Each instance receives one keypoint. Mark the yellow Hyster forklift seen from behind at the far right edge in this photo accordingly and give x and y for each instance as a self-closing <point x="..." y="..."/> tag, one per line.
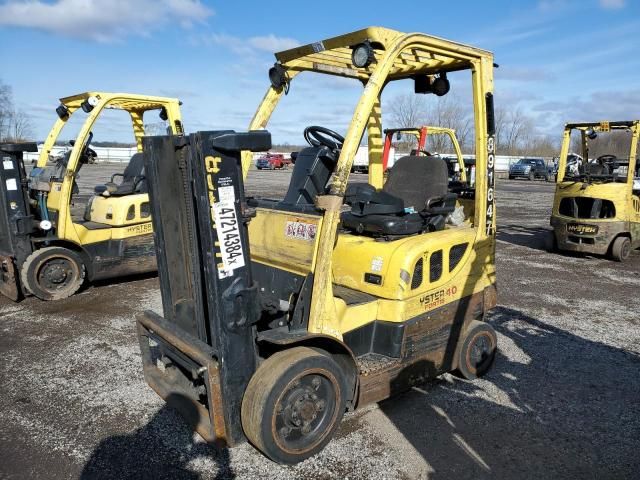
<point x="596" y="208"/>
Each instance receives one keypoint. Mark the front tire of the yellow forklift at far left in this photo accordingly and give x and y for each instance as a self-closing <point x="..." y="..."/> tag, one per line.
<point x="33" y="269"/>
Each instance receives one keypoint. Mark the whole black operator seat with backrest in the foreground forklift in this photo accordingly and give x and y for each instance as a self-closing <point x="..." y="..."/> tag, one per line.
<point x="414" y="199"/>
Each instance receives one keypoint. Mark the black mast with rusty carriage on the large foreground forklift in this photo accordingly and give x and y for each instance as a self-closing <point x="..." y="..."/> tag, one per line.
<point x="209" y="298"/>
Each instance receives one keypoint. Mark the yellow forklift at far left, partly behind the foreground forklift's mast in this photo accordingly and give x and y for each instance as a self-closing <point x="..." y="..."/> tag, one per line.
<point x="47" y="249"/>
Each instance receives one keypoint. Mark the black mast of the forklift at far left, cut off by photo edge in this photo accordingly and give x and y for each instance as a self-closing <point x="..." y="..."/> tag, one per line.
<point x="16" y="221"/>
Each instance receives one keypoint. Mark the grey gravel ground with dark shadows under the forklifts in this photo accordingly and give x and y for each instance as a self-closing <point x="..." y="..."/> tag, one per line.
<point x="561" y="401"/>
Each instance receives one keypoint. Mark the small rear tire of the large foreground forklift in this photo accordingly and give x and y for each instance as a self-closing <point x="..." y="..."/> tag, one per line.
<point x="482" y="335"/>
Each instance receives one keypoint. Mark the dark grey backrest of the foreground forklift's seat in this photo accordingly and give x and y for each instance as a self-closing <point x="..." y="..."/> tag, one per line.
<point x="417" y="180"/>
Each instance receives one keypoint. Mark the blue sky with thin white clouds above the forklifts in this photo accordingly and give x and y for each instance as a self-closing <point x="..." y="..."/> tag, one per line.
<point x="563" y="60"/>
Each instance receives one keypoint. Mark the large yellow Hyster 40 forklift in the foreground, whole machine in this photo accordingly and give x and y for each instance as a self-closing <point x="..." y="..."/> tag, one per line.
<point x="281" y="314"/>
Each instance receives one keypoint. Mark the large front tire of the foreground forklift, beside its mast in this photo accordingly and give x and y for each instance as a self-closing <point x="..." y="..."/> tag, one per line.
<point x="268" y="412"/>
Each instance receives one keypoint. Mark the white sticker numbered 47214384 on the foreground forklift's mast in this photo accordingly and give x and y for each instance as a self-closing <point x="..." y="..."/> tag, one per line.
<point x="228" y="229"/>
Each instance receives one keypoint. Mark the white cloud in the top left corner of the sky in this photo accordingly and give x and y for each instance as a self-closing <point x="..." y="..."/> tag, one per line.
<point x="102" y="21"/>
